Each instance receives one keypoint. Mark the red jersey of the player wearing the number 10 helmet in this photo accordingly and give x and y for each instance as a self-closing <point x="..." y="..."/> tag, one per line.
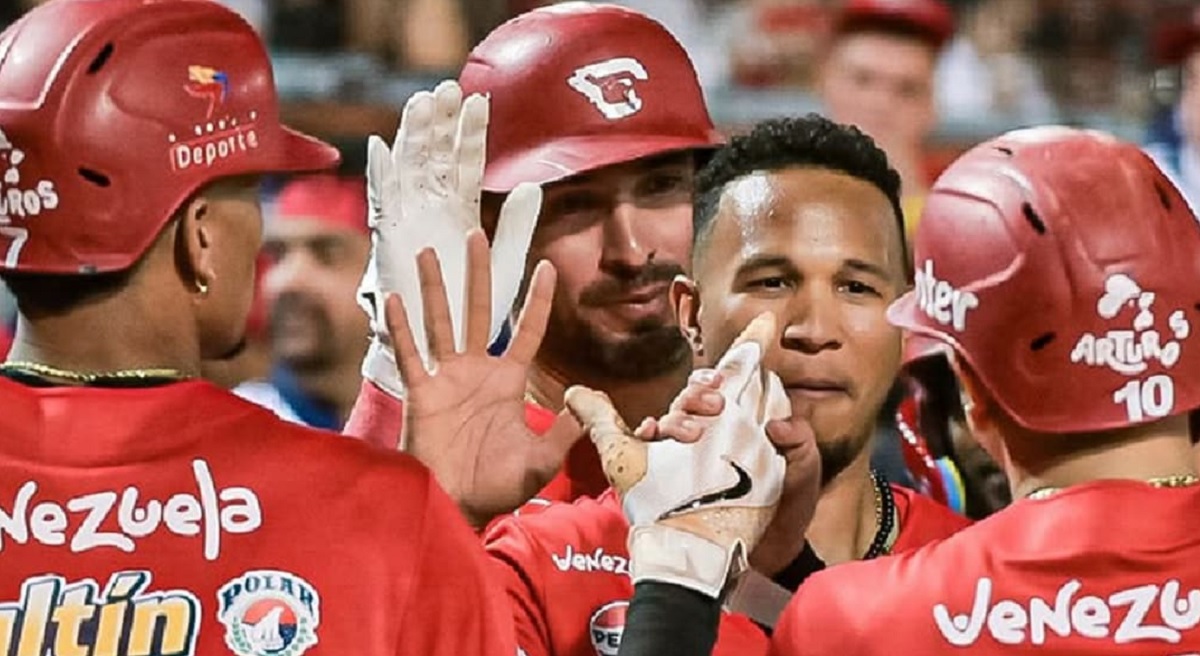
<point x="1111" y="568"/>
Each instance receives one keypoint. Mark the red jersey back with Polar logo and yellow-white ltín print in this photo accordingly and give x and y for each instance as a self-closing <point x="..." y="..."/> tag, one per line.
<point x="182" y="520"/>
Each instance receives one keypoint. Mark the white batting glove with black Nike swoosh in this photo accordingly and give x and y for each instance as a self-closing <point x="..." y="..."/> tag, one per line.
<point x="699" y="509"/>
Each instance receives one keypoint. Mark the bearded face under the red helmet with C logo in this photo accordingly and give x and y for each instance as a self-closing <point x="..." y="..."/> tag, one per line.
<point x="617" y="238"/>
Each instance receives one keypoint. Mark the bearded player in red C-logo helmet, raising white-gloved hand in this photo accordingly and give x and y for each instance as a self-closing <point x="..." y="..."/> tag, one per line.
<point x="601" y="106"/>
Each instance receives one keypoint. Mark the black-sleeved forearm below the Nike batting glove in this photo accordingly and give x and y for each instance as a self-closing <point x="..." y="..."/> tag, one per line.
<point x="670" y="621"/>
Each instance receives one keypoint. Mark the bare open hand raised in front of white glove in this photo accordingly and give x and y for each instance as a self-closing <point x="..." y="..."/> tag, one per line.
<point x="465" y="413"/>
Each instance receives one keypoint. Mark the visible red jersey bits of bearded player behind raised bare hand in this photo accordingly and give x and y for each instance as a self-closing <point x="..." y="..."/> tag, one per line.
<point x="379" y="418"/>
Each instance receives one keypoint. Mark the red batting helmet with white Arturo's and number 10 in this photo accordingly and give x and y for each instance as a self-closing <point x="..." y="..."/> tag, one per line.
<point x="1063" y="266"/>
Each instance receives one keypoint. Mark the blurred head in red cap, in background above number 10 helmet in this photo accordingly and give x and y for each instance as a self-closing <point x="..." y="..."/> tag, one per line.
<point x="879" y="76"/>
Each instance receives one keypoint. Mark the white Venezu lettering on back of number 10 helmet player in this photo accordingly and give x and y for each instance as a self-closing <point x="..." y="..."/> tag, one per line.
<point x="1013" y="623"/>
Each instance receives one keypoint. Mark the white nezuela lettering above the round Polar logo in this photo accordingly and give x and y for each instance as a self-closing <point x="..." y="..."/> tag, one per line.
<point x="209" y="513"/>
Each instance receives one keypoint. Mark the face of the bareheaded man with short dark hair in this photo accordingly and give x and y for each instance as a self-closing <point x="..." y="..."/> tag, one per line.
<point x="823" y="251"/>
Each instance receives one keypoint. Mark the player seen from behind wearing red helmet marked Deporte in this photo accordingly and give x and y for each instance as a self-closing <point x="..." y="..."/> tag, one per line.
<point x="142" y="509"/>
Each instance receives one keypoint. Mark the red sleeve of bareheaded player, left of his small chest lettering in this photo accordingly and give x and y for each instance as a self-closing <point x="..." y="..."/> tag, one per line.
<point x="511" y="549"/>
